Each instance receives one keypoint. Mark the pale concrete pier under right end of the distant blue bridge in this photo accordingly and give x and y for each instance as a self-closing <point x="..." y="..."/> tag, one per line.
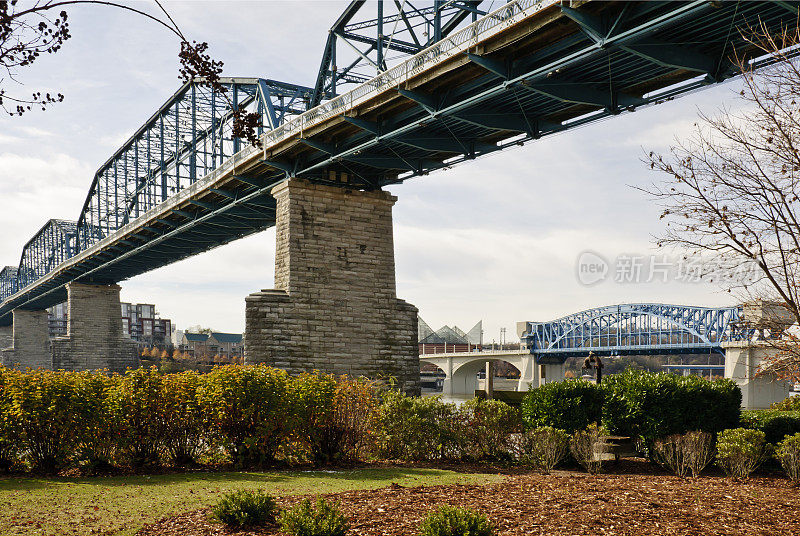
<point x="743" y="362"/>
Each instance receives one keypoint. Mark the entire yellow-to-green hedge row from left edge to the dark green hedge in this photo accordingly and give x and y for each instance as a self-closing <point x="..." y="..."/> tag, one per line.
<point x="246" y="415"/>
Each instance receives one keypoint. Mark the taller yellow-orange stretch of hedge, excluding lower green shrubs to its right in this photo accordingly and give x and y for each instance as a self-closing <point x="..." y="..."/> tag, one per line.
<point x="247" y="415"/>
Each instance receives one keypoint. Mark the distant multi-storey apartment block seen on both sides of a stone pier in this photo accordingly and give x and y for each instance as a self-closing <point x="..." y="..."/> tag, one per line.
<point x="140" y="322"/>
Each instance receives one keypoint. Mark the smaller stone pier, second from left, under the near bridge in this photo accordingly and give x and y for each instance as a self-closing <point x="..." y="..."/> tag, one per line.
<point x="94" y="332"/>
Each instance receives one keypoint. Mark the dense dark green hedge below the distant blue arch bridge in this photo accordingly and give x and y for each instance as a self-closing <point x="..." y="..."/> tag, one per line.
<point x="636" y="404"/>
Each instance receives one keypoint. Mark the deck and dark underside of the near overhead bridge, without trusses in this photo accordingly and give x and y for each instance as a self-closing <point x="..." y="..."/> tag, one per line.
<point x="526" y="70"/>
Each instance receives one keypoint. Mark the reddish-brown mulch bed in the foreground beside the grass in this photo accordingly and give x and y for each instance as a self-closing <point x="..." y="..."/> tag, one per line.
<point x="563" y="503"/>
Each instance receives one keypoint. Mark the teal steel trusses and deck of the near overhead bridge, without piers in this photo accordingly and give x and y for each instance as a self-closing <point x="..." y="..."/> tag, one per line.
<point x="402" y="90"/>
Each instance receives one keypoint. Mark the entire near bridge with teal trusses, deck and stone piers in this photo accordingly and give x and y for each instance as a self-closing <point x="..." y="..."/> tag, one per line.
<point x="401" y="91"/>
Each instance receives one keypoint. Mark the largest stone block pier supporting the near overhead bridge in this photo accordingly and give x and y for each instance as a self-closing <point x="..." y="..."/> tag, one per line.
<point x="335" y="307"/>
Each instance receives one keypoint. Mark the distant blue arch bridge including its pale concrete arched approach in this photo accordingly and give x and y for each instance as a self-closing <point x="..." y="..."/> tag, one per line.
<point x="613" y="330"/>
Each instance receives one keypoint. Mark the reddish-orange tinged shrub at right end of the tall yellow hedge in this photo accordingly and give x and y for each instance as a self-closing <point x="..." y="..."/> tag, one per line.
<point x="334" y="416"/>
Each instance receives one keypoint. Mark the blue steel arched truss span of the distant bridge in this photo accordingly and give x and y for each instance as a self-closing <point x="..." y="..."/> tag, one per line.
<point x="636" y="329"/>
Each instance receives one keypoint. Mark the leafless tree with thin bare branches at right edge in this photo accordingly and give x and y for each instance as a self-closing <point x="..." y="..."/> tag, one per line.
<point x="733" y="188"/>
